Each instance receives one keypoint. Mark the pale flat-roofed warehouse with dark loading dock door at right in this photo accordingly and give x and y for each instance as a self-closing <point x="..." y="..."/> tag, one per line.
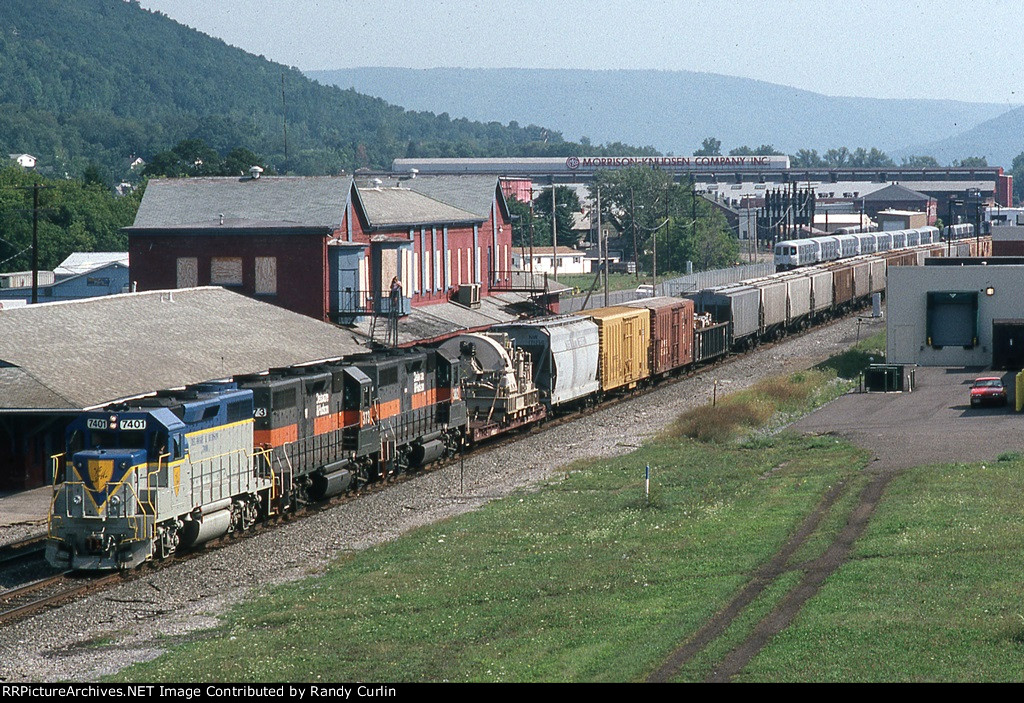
<point x="957" y="313"/>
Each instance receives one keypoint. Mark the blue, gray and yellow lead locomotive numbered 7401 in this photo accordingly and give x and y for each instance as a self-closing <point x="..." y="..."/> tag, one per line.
<point x="143" y="479"/>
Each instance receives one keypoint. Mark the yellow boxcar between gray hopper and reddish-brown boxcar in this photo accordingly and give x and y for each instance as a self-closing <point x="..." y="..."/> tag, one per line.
<point x="625" y="337"/>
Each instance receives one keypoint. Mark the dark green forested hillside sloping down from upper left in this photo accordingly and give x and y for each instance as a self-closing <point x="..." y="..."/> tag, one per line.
<point x="100" y="81"/>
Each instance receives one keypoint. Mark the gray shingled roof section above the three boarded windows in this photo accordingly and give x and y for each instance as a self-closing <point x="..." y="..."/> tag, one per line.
<point x="269" y="201"/>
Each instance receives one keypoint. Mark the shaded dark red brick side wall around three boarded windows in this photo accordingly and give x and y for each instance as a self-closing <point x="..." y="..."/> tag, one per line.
<point x="302" y="263"/>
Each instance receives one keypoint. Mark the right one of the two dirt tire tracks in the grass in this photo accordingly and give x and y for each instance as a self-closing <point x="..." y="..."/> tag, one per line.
<point x="817" y="573"/>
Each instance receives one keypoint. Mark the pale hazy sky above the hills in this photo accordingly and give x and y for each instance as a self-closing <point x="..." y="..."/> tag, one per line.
<point x="895" y="49"/>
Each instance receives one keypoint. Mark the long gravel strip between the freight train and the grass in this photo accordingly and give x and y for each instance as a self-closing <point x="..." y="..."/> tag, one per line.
<point x="134" y="623"/>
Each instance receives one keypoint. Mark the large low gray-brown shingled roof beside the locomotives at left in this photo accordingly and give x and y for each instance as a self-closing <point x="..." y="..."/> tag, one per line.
<point x="90" y="353"/>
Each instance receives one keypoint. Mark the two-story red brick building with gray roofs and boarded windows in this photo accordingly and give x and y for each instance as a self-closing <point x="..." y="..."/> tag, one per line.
<point x="325" y="247"/>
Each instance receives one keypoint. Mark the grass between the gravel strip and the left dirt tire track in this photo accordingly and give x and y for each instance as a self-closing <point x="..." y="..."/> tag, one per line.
<point x="580" y="582"/>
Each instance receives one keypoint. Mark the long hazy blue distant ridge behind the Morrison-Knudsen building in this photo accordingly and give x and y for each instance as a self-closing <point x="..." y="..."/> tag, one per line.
<point x="673" y="111"/>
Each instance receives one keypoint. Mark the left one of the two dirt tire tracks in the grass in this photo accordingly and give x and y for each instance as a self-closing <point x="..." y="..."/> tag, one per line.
<point x="762" y="579"/>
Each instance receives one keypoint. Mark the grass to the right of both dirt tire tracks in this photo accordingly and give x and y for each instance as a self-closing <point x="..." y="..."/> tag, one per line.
<point x="933" y="592"/>
